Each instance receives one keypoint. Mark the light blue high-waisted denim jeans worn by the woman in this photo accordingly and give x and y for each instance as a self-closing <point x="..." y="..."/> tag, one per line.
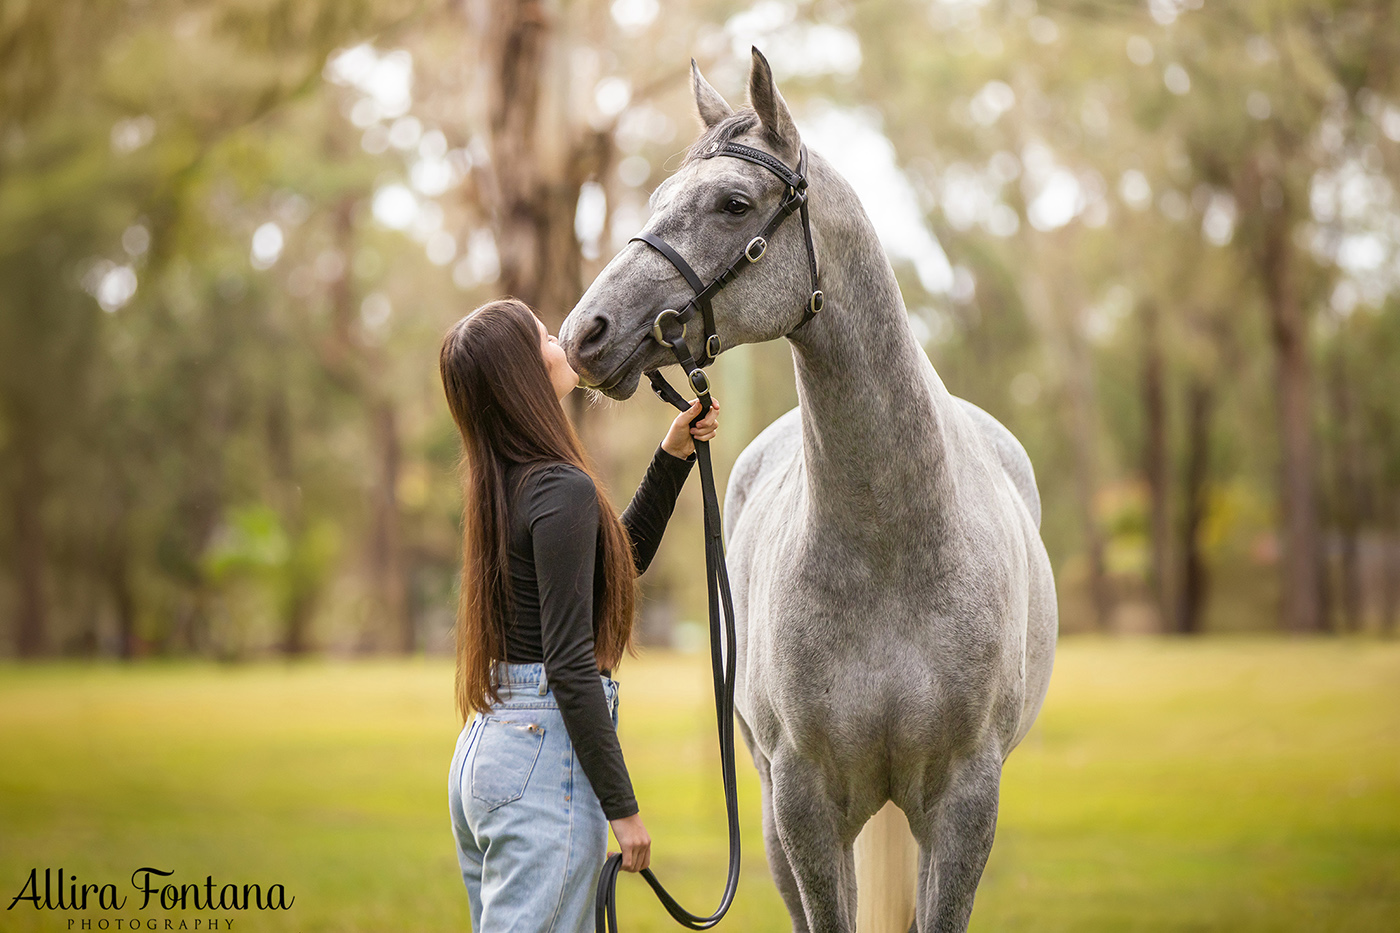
<point x="531" y="836"/>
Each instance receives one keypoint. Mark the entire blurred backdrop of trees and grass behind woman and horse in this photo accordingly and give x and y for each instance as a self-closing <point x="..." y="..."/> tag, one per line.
<point x="1160" y="242"/>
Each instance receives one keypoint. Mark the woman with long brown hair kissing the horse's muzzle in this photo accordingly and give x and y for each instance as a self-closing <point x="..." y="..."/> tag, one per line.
<point x="548" y="597"/>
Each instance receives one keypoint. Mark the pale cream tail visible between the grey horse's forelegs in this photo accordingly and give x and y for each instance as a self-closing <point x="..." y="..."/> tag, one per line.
<point x="887" y="873"/>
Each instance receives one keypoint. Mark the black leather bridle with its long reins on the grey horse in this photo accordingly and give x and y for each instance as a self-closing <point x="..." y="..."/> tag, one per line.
<point x="717" y="575"/>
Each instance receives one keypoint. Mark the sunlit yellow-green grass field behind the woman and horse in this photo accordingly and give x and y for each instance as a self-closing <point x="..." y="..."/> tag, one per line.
<point x="1216" y="785"/>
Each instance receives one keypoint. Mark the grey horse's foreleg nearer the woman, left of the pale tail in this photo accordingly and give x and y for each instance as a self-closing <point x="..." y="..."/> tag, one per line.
<point x="810" y="833"/>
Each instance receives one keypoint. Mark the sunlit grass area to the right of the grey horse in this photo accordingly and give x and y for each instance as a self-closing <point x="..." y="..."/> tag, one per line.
<point x="1223" y="785"/>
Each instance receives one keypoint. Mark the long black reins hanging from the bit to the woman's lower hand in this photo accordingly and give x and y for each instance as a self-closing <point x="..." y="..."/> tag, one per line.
<point x="723" y="666"/>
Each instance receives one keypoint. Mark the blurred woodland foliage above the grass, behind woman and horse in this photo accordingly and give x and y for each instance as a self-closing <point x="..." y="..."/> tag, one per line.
<point x="234" y="232"/>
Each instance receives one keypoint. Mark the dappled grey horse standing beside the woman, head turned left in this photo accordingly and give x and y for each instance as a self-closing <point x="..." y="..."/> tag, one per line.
<point x="895" y="606"/>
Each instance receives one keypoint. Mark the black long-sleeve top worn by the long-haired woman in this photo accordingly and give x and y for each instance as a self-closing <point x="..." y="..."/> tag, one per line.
<point x="556" y="572"/>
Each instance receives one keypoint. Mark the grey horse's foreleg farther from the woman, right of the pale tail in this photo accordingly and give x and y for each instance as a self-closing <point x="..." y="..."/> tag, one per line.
<point x="955" y="831"/>
